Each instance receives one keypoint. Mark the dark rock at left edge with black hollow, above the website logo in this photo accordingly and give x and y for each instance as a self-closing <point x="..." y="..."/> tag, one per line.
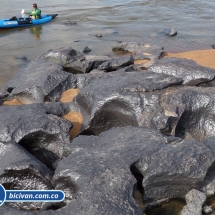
<point x="44" y="135"/>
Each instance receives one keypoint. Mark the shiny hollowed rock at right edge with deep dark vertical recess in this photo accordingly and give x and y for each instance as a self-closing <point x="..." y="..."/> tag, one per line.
<point x="191" y="110"/>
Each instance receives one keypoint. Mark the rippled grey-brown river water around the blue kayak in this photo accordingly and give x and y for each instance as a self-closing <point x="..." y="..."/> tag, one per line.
<point x="116" y="20"/>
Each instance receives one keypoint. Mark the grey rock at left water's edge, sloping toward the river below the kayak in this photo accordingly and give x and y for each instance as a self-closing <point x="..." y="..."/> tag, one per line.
<point x="39" y="81"/>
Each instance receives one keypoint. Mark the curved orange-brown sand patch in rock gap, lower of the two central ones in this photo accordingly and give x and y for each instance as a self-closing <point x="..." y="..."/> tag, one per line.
<point x="77" y="120"/>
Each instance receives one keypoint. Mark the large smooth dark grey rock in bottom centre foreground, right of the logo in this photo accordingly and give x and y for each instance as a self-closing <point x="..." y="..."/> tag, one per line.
<point x="101" y="181"/>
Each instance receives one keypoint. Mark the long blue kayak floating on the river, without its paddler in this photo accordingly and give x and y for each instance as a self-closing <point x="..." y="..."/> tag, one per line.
<point x="21" y="22"/>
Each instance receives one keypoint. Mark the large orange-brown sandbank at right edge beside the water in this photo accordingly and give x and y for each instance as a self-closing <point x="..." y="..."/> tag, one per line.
<point x="201" y="57"/>
